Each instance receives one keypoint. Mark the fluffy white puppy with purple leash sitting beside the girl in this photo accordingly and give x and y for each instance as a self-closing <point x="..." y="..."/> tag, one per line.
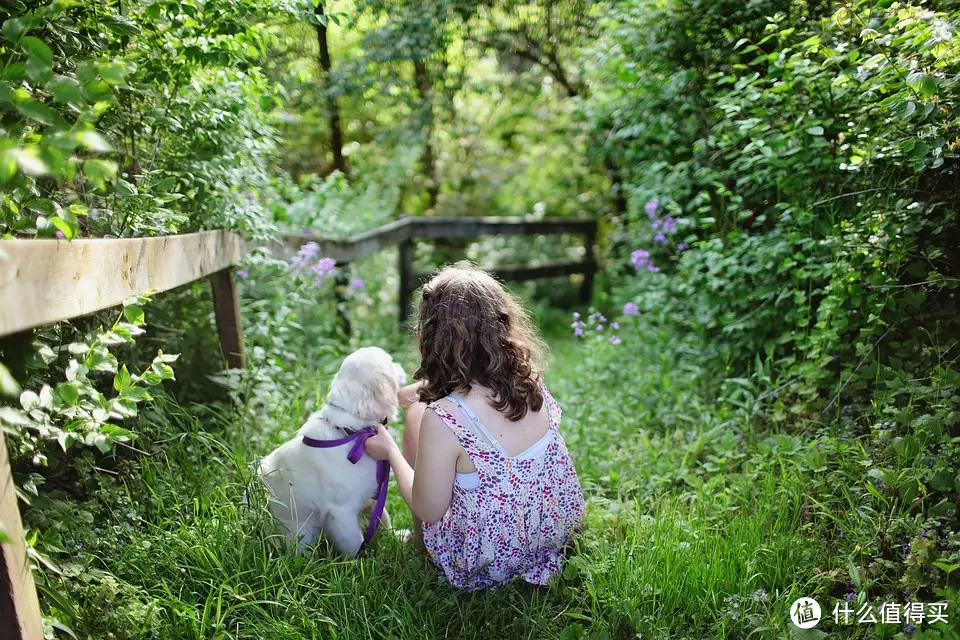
<point x="316" y="490"/>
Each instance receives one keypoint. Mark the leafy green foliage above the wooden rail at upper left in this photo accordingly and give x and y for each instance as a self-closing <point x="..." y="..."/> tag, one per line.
<point x="143" y="119"/>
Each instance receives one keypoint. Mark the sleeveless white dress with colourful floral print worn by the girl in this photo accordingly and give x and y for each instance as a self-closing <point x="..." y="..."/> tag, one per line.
<point x="519" y="517"/>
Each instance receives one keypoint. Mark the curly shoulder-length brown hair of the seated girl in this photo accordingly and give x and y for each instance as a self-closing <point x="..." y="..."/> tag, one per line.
<point x="472" y="331"/>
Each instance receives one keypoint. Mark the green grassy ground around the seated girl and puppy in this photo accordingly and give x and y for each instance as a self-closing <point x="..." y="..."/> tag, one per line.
<point x="699" y="526"/>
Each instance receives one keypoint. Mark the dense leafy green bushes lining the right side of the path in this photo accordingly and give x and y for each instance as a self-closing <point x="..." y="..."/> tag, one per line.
<point x="806" y="154"/>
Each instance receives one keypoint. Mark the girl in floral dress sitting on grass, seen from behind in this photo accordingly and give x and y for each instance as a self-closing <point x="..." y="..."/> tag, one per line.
<point x="483" y="468"/>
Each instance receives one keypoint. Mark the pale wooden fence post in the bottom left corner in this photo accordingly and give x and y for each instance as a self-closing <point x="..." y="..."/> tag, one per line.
<point x="19" y="608"/>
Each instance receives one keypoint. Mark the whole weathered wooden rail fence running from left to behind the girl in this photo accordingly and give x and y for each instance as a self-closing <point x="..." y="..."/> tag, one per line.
<point x="45" y="281"/>
